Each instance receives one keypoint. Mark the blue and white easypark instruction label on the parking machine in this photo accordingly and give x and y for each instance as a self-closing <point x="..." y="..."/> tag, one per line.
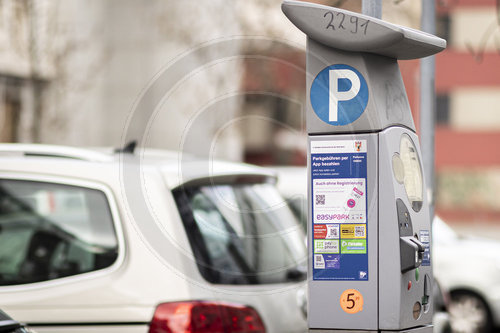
<point x="339" y="210"/>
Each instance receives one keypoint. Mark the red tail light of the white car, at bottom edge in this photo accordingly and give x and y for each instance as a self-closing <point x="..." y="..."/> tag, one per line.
<point x="205" y="317"/>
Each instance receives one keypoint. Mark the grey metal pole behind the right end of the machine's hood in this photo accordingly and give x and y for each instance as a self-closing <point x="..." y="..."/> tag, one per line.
<point x="427" y="103"/>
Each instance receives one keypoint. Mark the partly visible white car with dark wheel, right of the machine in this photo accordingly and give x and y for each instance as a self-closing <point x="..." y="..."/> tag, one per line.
<point x="470" y="269"/>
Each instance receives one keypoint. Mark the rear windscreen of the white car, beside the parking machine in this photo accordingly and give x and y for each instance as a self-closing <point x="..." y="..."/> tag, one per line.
<point x="243" y="234"/>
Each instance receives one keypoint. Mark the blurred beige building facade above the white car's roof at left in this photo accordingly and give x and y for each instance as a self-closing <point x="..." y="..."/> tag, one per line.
<point x="72" y="71"/>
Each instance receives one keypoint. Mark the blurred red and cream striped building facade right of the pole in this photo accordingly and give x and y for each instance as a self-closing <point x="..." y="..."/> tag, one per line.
<point x="468" y="111"/>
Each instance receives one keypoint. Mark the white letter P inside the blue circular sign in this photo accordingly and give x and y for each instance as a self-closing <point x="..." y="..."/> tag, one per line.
<point x="336" y="95"/>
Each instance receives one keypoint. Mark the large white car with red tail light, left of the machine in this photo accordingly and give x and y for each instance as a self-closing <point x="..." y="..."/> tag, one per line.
<point x="146" y="242"/>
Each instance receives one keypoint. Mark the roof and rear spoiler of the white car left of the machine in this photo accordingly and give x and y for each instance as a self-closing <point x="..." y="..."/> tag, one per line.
<point x="176" y="167"/>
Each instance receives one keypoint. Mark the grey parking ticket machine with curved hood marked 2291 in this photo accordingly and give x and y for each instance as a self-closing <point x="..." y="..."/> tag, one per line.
<point x="369" y="224"/>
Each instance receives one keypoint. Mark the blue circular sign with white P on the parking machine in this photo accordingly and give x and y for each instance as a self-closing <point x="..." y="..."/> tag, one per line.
<point x="339" y="95"/>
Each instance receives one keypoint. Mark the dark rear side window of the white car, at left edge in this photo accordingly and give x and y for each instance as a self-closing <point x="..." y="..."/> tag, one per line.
<point x="49" y="231"/>
